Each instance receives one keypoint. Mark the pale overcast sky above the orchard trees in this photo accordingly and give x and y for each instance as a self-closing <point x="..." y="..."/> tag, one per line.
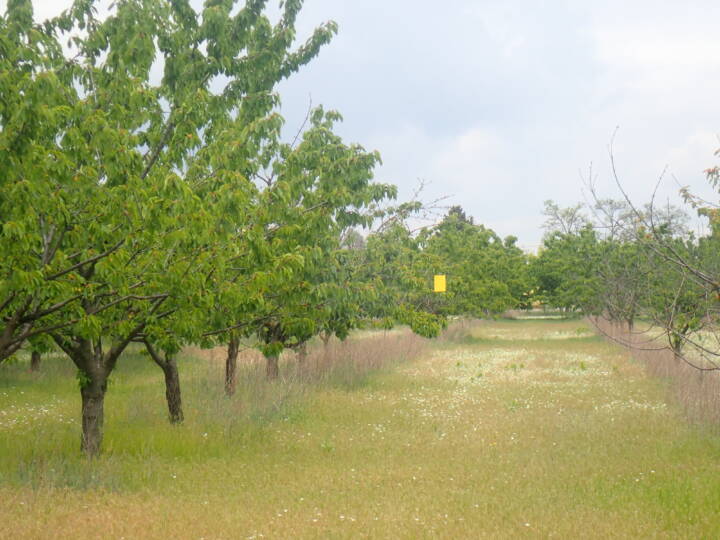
<point x="502" y="105"/>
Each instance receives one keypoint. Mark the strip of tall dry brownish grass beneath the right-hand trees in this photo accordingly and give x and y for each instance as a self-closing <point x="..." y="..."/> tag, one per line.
<point x="696" y="391"/>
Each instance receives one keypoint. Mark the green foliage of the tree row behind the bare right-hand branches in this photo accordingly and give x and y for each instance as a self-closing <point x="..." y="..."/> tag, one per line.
<point x="646" y="265"/>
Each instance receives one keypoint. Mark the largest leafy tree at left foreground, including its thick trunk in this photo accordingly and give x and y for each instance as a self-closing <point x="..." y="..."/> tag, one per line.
<point x="115" y="187"/>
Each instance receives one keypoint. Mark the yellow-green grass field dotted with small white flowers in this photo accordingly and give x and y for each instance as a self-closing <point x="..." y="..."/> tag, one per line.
<point x="509" y="429"/>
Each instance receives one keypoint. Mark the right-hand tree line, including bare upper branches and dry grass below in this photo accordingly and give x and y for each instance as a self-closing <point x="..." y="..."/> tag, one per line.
<point x="614" y="260"/>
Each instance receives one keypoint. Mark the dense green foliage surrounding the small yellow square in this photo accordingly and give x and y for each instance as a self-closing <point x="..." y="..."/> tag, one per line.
<point x="486" y="276"/>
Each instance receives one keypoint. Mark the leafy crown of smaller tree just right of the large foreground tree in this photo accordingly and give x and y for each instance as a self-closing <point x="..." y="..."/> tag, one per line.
<point x="312" y="192"/>
